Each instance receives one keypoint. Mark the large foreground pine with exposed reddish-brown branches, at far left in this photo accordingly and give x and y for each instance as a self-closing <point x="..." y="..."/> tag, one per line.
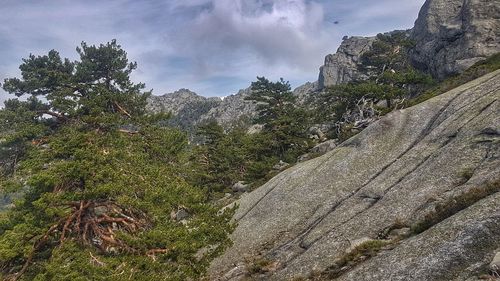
<point x="101" y="180"/>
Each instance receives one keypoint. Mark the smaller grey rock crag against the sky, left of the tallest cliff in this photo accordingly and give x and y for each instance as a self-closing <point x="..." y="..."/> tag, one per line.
<point x="342" y="66"/>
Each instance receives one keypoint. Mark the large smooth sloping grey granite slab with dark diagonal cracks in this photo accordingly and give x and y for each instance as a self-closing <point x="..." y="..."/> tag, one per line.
<point x="409" y="167"/>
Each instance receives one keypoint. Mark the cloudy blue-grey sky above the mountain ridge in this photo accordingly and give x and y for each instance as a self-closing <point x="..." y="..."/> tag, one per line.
<point x="212" y="47"/>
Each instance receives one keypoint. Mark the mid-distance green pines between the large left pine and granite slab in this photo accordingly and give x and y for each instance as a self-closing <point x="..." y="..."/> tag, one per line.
<point x="227" y="157"/>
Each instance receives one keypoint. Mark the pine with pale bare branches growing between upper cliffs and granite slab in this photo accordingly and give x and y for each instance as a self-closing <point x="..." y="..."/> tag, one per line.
<point x="392" y="80"/>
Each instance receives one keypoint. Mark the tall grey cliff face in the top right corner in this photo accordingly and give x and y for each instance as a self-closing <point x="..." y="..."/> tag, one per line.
<point x="452" y="35"/>
